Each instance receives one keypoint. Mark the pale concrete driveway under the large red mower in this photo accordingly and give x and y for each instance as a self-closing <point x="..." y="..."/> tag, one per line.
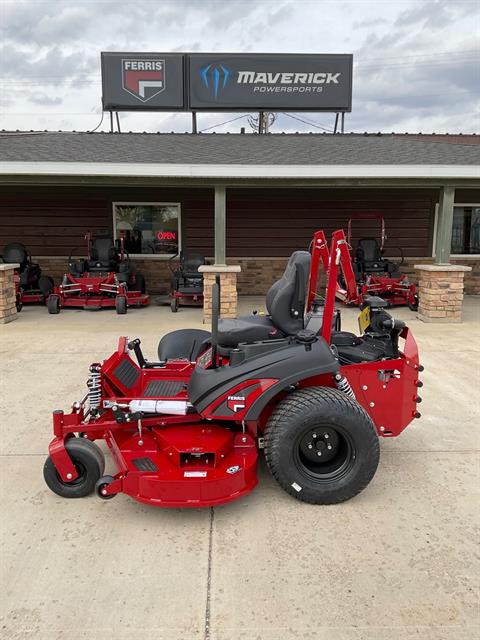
<point x="397" y="562"/>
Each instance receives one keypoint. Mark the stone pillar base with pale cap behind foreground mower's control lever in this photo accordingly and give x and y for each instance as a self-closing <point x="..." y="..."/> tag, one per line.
<point x="228" y="290"/>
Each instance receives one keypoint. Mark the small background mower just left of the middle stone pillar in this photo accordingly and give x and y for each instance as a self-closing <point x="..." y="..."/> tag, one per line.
<point x="186" y="285"/>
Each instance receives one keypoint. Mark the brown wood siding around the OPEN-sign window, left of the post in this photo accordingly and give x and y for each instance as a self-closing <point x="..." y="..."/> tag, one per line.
<point x="53" y="221"/>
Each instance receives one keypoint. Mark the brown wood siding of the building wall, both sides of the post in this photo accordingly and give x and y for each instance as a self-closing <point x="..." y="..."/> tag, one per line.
<point x="260" y="222"/>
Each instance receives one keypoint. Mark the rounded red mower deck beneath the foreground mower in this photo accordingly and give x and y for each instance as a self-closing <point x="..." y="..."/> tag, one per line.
<point x="188" y="465"/>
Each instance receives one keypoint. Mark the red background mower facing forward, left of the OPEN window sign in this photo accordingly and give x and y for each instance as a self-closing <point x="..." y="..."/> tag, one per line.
<point x="105" y="279"/>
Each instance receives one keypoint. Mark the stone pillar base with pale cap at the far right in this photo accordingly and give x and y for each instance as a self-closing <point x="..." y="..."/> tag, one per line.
<point x="440" y="292"/>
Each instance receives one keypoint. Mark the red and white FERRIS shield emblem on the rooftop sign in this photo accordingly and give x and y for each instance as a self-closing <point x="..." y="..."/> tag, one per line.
<point x="143" y="78"/>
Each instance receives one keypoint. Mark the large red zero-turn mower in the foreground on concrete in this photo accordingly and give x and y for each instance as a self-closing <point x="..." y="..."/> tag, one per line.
<point x="187" y="431"/>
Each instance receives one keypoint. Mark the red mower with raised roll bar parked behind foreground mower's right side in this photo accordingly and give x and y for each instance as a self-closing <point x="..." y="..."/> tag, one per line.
<point x="374" y="275"/>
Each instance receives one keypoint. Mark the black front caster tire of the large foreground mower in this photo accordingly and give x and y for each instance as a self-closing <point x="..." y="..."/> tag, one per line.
<point x="87" y="462"/>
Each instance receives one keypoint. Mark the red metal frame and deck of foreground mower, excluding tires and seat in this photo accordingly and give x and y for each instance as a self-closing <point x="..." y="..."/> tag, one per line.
<point x="181" y="457"/>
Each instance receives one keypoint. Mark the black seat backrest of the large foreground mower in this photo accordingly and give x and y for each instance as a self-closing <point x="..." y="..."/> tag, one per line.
<point x="286" y="297"/>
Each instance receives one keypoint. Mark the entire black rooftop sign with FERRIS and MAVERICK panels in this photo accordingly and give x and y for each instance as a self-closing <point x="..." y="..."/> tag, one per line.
<point x="227" y="82"/>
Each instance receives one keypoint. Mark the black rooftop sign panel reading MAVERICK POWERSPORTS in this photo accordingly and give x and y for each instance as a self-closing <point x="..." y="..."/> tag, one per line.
<point x="270" y="82"/>
